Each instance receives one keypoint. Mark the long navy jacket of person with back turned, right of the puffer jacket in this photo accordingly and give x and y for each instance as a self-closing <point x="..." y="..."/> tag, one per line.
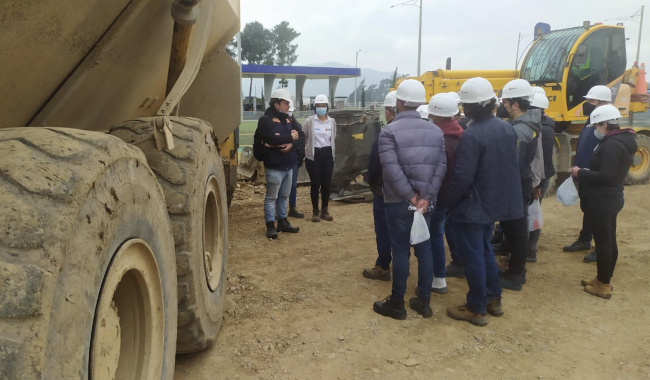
<point x="486" y="186"/>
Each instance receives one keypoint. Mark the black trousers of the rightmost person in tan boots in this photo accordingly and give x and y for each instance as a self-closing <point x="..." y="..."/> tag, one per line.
<point x="601" y="218"/>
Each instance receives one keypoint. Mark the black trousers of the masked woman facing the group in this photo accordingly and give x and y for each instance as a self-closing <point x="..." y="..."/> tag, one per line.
<point x="320" y="175"/>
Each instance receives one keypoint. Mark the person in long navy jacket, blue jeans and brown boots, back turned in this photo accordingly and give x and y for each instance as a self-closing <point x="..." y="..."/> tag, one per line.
<point x="484" y="188"/>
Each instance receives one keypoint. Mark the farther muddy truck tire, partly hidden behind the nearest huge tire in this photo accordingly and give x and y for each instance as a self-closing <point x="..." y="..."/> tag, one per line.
<point x="193" y="181"/>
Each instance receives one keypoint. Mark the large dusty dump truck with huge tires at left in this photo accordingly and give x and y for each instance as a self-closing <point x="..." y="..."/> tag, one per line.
<point x="113" y="209"/>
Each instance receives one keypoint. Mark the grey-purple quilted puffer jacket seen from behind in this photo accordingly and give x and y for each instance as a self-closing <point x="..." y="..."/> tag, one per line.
<point x="413" y="159"/>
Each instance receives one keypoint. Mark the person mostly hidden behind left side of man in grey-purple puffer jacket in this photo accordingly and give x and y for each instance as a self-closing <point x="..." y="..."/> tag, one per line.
<point x="381" y="270"/>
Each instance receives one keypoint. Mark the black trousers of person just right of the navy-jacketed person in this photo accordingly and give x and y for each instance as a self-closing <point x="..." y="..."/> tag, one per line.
<point x="516" y="233"/>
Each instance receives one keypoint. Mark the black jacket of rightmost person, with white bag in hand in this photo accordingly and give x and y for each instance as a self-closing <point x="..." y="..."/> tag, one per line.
<point x="609" y="165"/>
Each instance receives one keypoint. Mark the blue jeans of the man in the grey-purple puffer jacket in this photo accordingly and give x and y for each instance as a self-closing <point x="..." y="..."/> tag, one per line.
<point x="401" y="220"/>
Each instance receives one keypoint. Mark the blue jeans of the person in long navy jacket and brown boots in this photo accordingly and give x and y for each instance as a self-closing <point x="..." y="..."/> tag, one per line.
<point x="473" y="241"/>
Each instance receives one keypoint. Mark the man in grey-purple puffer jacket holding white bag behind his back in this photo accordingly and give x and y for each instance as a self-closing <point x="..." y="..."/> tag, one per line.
<point x="412" y="155"/>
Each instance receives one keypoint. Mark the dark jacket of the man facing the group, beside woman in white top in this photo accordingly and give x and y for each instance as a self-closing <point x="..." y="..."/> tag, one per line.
<point x="274" y="128"/>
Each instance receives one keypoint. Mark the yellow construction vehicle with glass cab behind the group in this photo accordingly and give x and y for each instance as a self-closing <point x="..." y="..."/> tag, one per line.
<point x="567" y="63"/>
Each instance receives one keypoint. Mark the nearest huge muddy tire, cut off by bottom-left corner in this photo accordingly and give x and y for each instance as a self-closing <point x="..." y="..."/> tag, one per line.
<point x="86" y="260"/>
